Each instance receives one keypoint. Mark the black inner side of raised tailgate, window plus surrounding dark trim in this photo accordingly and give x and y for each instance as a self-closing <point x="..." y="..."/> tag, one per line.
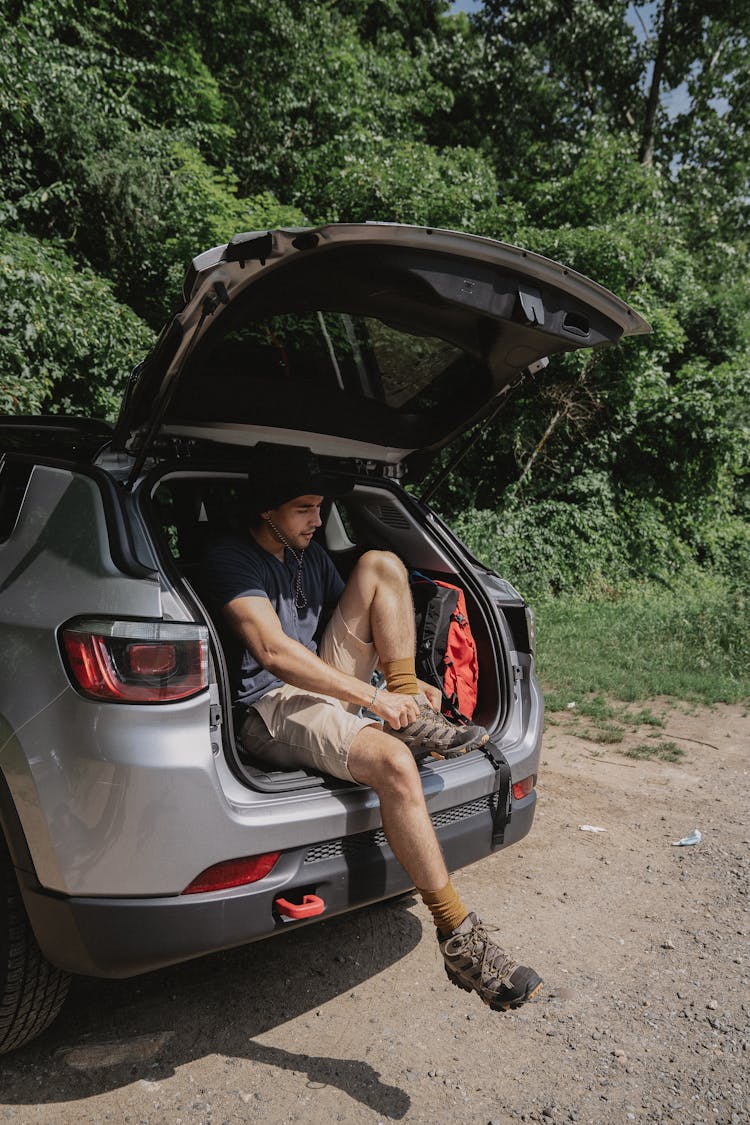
<point x="354" y="345"/>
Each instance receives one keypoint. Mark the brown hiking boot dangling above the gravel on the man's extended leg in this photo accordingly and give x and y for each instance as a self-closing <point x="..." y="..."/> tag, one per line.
<point x="476" y="965"/>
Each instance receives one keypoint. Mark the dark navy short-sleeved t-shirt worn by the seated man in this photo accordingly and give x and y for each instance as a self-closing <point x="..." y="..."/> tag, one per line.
<point x="237" y="568"/>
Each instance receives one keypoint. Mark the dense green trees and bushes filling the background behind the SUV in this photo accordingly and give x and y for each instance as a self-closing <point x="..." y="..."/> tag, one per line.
<point x="133" y="141"/>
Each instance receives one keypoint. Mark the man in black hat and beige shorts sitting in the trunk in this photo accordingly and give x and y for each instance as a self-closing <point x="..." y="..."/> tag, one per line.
<point x="305" y="705"/>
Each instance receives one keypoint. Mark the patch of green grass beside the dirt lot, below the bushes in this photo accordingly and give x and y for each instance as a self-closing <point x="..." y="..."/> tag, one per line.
<point x="689" y="642"/>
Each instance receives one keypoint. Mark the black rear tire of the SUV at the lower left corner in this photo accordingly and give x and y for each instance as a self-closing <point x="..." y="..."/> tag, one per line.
<point x="32" y="991"/>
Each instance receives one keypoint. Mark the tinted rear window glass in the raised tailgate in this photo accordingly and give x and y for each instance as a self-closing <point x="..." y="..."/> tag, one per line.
<point x="335" y="373"/>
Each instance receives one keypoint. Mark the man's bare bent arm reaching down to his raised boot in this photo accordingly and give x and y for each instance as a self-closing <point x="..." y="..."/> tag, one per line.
<point x="257" y="624"/>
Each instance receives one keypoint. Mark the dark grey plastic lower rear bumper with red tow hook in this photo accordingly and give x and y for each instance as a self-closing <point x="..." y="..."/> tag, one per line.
<point x="122" y="938"/>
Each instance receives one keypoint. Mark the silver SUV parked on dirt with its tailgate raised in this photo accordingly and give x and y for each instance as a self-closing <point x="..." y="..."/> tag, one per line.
<point x="135" y="831"/>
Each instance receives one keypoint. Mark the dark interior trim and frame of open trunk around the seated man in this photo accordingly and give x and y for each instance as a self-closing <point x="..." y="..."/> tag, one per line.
<point x="187" y="509"/>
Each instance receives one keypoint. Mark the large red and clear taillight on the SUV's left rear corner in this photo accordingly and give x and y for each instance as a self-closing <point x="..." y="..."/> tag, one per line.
<point x="137" y="662"/>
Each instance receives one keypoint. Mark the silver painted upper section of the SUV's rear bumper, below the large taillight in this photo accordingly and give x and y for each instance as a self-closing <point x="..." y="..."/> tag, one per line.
<point x="135" y="799"/>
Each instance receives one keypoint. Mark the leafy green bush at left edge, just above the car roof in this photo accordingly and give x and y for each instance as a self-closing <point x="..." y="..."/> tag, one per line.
<point x="68" y="346"/>
